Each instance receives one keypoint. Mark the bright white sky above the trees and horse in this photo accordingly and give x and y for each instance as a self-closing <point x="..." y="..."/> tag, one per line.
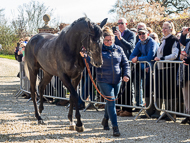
<point x="67" y="11"/>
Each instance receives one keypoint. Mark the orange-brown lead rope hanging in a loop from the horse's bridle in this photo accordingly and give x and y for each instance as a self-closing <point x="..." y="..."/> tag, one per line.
<point x="105" y="97"/>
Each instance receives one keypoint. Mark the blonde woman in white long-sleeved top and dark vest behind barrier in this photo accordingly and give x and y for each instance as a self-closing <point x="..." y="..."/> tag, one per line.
<point x="166" y="73"/>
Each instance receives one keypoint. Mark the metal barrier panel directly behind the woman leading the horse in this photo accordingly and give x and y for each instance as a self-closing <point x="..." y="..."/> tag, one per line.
<point x="133" y="97"/>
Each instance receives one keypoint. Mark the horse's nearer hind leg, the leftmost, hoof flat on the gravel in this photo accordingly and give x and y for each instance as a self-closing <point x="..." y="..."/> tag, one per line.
<point x="33" y="76"/>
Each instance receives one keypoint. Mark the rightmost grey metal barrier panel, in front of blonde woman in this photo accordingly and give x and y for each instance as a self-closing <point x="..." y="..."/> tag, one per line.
<point x="170" y="78"/>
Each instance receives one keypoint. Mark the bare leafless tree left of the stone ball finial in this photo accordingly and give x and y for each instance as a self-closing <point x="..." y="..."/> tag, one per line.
<point x="30" y="17"/>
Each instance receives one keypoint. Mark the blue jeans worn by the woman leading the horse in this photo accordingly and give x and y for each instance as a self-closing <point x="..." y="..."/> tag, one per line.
<point x="110" y="110"/>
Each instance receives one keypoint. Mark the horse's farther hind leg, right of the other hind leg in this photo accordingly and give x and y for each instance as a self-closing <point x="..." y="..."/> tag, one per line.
<point x="45" y="80"/>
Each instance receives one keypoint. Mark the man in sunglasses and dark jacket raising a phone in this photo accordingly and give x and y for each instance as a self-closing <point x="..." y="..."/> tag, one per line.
<point x="125" y="39"/>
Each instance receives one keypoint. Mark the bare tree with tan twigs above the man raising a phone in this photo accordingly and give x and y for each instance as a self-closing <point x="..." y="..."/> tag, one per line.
<point x="136" y="10"/>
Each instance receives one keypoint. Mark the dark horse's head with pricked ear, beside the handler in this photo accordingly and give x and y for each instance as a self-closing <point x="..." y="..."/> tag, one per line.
<point x="94" y="43"/>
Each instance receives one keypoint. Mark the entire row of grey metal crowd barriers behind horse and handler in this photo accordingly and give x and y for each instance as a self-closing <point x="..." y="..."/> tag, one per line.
<point x="138" y="92"/>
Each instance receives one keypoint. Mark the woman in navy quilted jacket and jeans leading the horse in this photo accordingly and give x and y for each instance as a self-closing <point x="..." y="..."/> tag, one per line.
<point x="109" y="77"/>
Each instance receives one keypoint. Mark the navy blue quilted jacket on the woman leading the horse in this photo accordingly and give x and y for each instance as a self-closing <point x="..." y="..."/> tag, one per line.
<point x="113" y="60"/>
